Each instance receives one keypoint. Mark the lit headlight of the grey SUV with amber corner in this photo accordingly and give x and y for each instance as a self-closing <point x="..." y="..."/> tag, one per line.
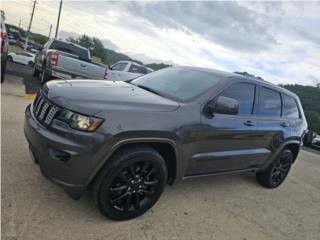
<point x="80" y="122"/>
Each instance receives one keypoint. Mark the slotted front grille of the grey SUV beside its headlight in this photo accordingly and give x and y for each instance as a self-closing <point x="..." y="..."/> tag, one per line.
<point x="44" y="110"/>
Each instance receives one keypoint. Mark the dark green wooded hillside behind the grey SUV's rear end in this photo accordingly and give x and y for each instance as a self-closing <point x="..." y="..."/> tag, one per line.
<point x="310" y="100"/>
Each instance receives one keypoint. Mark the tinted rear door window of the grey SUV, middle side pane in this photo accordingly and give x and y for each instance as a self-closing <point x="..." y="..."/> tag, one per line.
<point x="269" y="103"/>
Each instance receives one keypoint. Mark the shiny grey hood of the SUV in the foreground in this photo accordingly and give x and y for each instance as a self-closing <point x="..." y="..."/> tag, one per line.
<point x="93" y="96"/>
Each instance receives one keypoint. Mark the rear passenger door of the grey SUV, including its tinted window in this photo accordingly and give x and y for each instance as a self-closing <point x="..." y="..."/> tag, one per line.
<point x="272" y="128"/>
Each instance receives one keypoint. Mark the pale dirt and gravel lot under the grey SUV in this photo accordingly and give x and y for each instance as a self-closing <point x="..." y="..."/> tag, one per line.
<point x="220" y="207"/>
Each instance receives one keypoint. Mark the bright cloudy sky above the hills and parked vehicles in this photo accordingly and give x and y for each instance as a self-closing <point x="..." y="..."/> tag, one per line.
<point x="279" y="41"/>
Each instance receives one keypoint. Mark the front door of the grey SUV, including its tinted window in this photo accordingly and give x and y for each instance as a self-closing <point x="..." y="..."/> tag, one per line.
<point x="228" y="142"/>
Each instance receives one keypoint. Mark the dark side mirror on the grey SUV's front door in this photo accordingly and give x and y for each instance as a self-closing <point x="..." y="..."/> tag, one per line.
<point x="223" y="105"/>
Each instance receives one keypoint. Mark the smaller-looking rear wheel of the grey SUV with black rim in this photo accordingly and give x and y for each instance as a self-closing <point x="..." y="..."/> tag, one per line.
<point x="277" y="172"/>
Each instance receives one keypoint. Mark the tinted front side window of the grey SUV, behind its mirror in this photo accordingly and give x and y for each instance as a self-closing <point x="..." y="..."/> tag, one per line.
<point x="244" y="93"/>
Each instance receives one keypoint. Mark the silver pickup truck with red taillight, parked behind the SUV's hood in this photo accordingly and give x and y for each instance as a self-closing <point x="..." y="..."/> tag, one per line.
<point x="65" y="60"/>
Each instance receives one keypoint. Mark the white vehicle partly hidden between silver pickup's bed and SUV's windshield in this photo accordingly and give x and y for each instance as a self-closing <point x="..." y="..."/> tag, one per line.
<point x="127" y="70"/>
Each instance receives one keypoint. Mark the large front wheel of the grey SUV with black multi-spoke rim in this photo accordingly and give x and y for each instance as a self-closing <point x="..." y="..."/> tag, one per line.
<point x="131" y="183"/>
